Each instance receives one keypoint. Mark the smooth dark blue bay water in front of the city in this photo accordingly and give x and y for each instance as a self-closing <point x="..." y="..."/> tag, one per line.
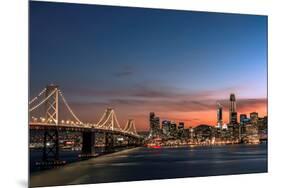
<point x="147" y="164"/>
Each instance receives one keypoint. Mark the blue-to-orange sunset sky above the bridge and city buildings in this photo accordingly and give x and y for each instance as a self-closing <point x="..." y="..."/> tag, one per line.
<point x="140" y="61"/>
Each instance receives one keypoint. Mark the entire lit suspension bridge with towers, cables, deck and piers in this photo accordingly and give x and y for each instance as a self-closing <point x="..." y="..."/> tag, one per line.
<point x="44" y="117"/>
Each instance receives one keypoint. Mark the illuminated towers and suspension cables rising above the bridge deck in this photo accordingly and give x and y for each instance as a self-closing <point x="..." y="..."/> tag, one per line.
<point x="108" y="121"/>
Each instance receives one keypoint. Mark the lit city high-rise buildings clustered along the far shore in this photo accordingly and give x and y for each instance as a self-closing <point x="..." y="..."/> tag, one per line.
<point x="247" y="129"/>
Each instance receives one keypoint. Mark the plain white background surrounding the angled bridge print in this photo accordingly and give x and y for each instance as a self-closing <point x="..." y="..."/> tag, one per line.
<point x="14" y="76"/>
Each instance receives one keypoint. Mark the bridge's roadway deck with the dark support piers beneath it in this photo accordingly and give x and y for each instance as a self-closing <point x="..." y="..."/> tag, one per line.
<point x="50" y="152"/>
